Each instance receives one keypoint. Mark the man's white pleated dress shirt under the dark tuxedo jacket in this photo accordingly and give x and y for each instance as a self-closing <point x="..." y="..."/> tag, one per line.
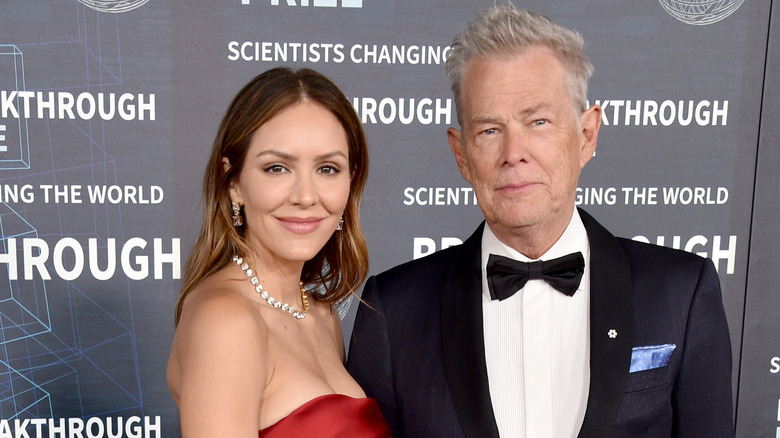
<point x="537" y="346"/>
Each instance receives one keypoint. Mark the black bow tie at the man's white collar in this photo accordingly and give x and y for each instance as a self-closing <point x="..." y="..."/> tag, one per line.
<point x="506" y="276"/>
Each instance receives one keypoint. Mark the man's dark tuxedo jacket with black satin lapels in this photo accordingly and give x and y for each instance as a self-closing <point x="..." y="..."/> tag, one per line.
<point x="417" y="344"/>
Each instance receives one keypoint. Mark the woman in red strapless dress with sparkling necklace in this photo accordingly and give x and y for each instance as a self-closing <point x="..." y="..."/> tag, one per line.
<point x="256" y="348"/>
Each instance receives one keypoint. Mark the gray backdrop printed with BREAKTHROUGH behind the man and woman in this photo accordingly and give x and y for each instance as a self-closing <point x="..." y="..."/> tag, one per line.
<point x="108" y="109"/>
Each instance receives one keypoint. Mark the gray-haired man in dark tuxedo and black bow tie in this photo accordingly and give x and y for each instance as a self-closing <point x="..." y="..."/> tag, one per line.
<point x="605" y="338"/>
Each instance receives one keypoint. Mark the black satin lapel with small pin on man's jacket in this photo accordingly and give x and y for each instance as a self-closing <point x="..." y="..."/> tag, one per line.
<point x="611" y="312"/>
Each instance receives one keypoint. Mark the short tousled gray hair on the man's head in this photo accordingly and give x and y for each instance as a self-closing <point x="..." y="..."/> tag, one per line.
<point x="503" y="30"/>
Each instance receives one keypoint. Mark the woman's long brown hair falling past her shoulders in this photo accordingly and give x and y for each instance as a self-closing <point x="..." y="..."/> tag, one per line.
<point x="341" y="265"/>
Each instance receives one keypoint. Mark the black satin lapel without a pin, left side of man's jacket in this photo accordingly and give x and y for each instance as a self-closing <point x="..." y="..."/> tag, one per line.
<point x="463" y="343"/>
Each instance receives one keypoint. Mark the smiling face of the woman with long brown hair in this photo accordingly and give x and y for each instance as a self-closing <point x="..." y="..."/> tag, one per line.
<point x="294" y="184"/>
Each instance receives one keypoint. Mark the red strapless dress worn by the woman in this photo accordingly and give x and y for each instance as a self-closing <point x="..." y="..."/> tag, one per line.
<point x="331" y="416"/>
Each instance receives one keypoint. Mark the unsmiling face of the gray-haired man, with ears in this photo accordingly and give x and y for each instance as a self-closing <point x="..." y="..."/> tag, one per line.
<point x="522" y="143"/>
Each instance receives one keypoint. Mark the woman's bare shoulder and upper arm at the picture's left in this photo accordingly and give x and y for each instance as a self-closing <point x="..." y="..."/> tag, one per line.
<point x="219" y="365"/>
